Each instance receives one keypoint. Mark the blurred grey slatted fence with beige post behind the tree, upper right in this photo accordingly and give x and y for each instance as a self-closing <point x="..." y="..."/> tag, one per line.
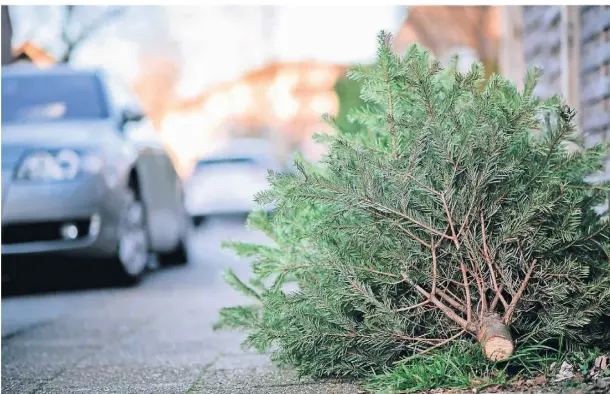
<point x="572" y="45"/>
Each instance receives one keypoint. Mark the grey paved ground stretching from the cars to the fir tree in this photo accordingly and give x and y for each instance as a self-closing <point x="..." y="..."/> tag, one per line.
<point x="153" y="338"/>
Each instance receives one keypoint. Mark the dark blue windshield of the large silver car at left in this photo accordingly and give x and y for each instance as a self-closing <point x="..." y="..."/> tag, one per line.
<point x="44" y="98"/>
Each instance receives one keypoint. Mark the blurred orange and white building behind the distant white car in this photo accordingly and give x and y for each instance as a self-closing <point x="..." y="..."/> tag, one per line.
<point x="282" y="101"/>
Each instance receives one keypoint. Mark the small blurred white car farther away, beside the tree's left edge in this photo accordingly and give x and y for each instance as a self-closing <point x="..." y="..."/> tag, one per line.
<point x="227" y="182"/>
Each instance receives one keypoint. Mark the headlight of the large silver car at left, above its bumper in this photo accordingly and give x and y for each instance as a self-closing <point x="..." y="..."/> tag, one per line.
<point x="63" y="164"/>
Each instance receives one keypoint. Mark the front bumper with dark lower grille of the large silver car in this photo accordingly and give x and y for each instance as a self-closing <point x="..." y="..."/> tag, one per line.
<point x="33" y="215"/>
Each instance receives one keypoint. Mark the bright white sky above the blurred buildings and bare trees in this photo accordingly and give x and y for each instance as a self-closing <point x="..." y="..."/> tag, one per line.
<point x="213" y="44"/>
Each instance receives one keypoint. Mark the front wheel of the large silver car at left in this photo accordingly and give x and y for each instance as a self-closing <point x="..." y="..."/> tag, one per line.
<point x="132" y="255"/>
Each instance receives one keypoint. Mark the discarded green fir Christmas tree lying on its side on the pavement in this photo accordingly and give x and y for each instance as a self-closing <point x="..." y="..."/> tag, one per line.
<point x="459" y="212"/>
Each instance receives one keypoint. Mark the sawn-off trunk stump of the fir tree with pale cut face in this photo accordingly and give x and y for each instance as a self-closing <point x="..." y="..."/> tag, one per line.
<point x="495" y="339"/>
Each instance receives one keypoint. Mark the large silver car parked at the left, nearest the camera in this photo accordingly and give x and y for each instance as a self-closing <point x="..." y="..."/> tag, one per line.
<point x="73" y="181"/>
